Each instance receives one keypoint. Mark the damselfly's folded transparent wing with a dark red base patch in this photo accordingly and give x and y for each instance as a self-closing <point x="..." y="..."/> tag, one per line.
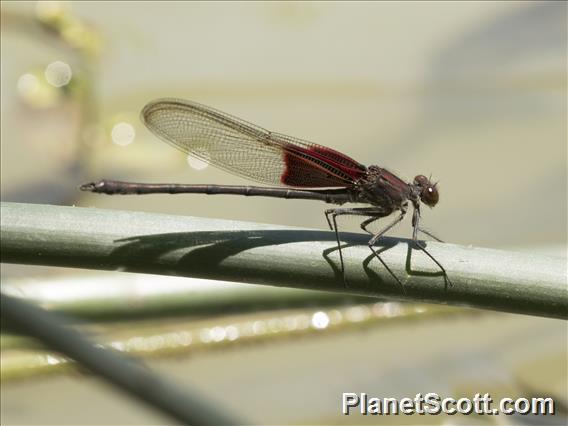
<point x="245" y="149"/>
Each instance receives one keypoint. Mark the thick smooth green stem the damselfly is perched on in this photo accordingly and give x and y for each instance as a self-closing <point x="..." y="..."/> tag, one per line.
<point x="281" y="256"/>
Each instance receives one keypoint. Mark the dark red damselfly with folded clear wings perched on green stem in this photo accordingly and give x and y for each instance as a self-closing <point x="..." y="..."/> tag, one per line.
<point x="301" y="169"/>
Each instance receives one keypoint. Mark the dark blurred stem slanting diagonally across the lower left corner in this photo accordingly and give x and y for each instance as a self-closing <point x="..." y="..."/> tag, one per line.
<point x="131" y="377"/>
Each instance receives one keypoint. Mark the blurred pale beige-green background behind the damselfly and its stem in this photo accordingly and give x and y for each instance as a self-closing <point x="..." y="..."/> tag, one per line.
<point x="473" y="93"/>
